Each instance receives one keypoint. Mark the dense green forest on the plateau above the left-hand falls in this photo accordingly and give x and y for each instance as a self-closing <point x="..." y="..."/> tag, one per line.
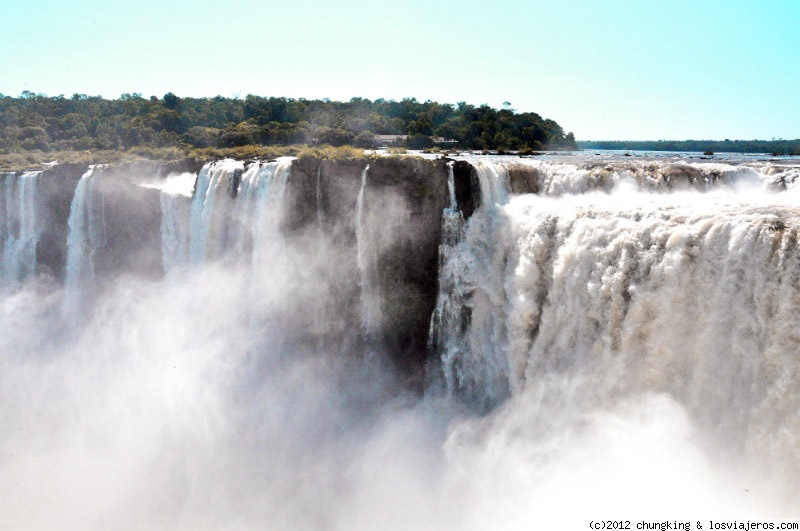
<point x="80" y="122"/>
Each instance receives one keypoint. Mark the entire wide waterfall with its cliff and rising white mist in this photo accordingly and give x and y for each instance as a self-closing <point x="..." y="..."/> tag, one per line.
<point x="610" y="339"/>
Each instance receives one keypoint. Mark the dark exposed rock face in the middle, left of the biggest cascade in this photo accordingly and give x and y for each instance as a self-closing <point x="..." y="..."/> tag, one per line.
<point x="399" y="229"/>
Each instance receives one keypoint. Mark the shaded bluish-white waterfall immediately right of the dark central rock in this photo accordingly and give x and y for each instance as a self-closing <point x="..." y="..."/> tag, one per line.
<point x="467" y="326"/>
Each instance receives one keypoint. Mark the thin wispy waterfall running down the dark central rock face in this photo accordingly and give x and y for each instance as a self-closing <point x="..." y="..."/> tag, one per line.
<point x="367" y="264"/>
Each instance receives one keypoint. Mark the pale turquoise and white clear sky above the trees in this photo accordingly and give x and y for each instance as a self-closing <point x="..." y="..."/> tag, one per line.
<point x="605" y="69"/>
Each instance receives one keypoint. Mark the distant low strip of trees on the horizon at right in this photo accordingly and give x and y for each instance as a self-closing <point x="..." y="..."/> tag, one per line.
<point x="774" y="147"/>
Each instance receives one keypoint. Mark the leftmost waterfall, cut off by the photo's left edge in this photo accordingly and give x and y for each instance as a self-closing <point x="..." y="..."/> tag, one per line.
<point x="19" y="226"/>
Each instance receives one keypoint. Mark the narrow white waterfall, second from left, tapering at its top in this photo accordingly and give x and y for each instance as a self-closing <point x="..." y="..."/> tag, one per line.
<point x="87" y="236"/>
